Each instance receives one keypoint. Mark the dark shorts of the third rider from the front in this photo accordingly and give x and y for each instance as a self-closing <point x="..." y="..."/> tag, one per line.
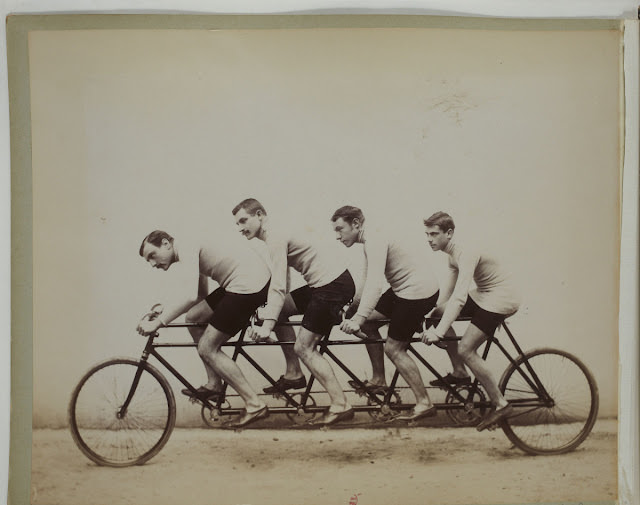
<point x="406" y="315"/>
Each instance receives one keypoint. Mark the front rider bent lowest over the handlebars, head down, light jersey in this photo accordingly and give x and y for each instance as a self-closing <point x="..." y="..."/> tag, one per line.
<point x="243" y="277"/>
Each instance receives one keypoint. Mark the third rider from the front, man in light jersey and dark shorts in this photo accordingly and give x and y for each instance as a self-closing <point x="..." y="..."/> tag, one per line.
<point x="413" y="293"/>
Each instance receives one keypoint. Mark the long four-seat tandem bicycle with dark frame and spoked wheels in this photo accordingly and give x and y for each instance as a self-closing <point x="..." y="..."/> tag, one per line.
<point x="135" y="430"/>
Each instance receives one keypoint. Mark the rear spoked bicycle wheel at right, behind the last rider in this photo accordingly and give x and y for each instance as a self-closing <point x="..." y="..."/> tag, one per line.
<point x="560" y="422"/>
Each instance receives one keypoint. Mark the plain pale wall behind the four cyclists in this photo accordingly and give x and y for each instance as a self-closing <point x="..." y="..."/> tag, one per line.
<point x="514" y="133"/>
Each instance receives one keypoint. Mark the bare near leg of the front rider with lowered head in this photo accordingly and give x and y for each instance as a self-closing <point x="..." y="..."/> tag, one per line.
<point x="210" y="352"/>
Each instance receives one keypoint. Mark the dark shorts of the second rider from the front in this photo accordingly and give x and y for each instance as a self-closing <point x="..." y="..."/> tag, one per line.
<point x="326" y="302"/>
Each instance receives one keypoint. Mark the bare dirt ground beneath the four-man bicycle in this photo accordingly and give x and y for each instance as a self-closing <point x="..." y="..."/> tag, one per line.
<point x="341" y="465"/>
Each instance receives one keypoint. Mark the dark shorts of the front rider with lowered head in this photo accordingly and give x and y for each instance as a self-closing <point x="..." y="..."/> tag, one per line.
<point x="231" y="311"/>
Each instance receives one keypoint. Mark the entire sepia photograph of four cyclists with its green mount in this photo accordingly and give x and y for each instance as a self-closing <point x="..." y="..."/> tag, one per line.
<point x="356" y="260"/>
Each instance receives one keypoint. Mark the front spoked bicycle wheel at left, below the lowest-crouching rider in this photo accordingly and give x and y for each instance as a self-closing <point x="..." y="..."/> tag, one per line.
<point x="111" y="435"/>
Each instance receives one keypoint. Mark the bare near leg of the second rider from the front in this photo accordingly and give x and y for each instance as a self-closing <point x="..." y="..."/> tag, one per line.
<point x="318" y="365"/>
